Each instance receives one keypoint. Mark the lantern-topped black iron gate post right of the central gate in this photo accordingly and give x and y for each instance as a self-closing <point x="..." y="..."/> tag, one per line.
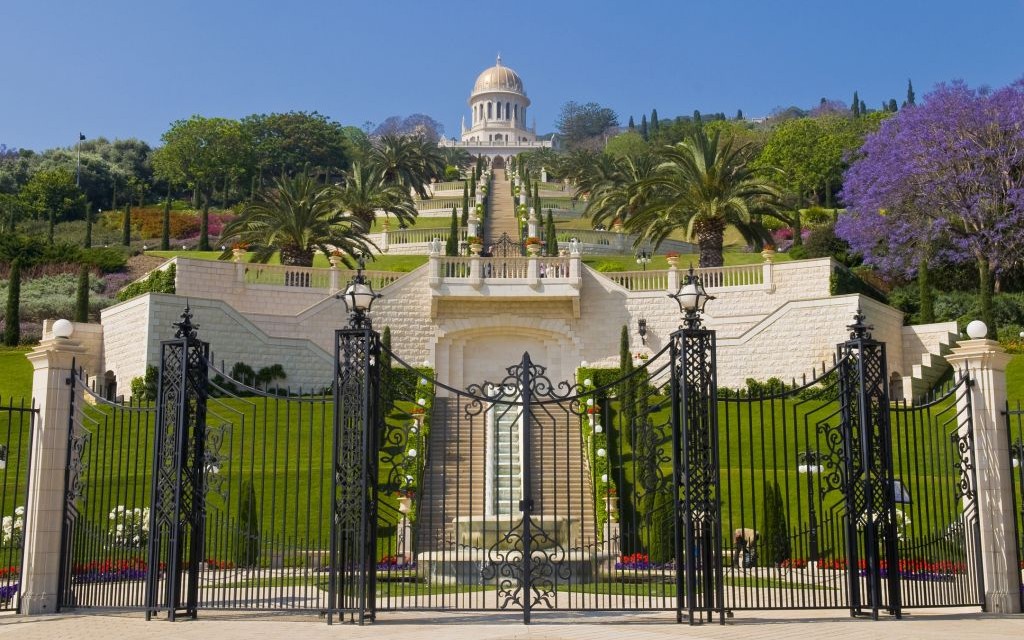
<point x="696" y="459"/>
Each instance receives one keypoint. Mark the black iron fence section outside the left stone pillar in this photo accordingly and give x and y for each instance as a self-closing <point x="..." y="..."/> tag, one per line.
<point x="17" y="420"/>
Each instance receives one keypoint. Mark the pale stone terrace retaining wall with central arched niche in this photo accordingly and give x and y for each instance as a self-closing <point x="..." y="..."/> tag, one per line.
<point x="786" y="327"/>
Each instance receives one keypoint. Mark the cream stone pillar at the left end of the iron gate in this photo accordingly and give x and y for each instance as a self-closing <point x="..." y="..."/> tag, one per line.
<point x="53" y="363"/>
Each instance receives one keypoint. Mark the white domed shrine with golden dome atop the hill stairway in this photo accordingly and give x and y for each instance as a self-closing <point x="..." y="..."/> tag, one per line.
<point x="498" y="107"/>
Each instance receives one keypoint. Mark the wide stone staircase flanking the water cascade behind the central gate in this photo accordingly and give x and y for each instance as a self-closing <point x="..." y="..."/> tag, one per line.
<point x="455" y="483"/>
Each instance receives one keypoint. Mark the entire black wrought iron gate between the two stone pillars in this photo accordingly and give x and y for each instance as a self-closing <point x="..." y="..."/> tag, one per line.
<point x="644" y="490"/>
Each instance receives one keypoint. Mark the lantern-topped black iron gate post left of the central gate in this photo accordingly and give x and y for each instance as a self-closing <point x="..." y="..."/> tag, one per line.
<point x="358" y="422"/>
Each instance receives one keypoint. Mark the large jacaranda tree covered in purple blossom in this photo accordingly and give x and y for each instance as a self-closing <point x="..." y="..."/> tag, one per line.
<point x="943" y="181"/>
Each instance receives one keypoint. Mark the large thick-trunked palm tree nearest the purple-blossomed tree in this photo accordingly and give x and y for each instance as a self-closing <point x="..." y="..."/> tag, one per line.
<point x="703" y="186"/>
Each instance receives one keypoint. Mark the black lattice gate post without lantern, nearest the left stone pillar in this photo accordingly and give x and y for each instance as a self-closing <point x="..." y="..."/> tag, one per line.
<point x="178" y="514"/>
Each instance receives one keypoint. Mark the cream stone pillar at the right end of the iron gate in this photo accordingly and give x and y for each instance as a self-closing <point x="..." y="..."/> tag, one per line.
<point x="986" y="362"/>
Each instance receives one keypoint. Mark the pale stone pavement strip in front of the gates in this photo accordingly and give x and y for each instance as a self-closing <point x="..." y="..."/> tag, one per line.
<point x="931" y="625"/>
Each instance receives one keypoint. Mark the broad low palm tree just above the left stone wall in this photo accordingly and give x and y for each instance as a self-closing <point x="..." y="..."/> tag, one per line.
<point x="298" y="217"/>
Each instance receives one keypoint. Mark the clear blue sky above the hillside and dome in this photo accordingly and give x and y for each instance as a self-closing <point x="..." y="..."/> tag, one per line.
<point x="123" y="69"/>
